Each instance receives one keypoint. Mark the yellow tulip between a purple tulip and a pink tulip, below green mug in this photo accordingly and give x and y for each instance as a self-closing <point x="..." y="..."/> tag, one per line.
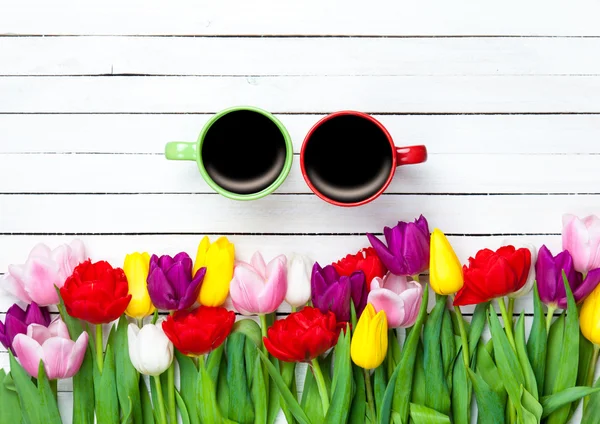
<point x="218" y="259"/>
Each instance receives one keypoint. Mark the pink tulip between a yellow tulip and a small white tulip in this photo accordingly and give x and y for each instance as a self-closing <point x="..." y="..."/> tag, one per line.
<point x="259" y="288"/>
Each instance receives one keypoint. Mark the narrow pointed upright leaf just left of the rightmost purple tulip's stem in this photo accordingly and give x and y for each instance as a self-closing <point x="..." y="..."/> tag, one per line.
<point x="537" y="342"/>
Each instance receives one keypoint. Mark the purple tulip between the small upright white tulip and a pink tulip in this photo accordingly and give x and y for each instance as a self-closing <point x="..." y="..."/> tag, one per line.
<point x="330" y="292"/>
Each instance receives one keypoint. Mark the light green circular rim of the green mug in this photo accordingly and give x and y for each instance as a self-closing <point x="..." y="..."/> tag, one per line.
<point x="287" y="166"/>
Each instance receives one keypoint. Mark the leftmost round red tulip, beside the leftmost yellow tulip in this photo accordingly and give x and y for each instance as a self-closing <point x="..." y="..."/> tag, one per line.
<point x="96" y="292"/>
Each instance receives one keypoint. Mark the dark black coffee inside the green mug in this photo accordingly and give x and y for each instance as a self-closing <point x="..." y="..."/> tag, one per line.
<point x="244" y="152"/>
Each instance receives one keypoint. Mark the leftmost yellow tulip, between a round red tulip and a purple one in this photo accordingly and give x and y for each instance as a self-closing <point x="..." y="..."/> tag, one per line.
<point x="136" y="268"/>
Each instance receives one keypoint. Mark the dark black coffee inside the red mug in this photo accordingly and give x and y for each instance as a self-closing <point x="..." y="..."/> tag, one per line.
<point x="348" y="158"/>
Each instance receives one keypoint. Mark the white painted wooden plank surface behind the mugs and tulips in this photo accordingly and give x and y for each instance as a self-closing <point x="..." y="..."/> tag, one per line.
<point x="505" y="94"/>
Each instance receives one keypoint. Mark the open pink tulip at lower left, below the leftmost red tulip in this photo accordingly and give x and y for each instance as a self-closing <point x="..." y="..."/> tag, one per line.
<point x="61" y="356"/>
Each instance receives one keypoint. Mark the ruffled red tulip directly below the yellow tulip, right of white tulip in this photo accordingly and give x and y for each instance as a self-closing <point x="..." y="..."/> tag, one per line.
<point x="200" y="330"/>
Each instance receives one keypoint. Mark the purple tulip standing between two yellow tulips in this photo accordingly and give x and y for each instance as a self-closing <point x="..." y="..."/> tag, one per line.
<point x="170" y="283"/>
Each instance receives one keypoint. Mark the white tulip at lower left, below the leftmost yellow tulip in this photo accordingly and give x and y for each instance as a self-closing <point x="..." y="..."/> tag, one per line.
<point x="150" y="350"/>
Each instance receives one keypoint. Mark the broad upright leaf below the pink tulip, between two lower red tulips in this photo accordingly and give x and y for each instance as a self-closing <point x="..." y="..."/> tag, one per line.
<point x="240" y="404"/>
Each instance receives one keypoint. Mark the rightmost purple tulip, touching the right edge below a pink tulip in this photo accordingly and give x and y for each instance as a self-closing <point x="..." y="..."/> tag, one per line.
<point x="549" y="278"/>
